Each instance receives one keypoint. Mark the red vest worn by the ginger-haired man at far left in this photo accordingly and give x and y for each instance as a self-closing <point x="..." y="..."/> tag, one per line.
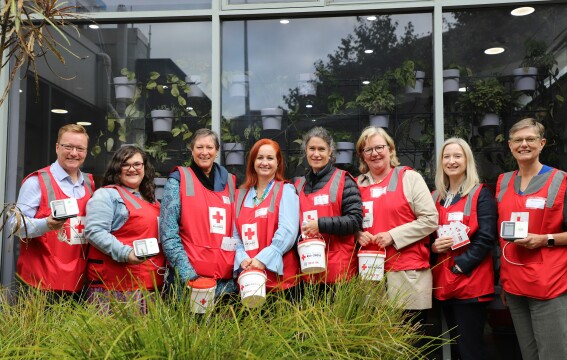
<point x="46" y="262"/>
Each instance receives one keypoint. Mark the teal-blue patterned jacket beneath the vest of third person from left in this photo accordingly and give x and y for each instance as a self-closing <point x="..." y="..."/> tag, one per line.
<point x="169" y="217"/>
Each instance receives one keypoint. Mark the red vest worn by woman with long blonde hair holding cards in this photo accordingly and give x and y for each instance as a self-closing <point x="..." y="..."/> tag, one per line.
<point x="446" y="284"/>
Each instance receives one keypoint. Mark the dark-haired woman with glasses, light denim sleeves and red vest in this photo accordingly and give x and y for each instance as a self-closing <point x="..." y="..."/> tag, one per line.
<point x="118" y="214"/>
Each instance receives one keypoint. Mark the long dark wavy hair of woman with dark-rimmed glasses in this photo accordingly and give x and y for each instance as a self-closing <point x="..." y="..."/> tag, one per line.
<point x="114" y="169"/>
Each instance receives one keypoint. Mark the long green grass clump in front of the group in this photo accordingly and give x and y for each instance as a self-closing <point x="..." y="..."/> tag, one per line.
<point x="354" y="320"/>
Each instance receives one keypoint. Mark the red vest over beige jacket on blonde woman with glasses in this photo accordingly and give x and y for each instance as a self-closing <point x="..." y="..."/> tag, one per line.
<point x="385" y="207"/>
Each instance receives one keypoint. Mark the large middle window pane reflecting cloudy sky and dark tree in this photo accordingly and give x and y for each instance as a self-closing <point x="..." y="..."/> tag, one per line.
<point x="313" y="69"/>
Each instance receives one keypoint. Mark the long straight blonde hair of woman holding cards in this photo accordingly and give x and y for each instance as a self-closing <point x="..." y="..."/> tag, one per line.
<point x="471" y="174"/>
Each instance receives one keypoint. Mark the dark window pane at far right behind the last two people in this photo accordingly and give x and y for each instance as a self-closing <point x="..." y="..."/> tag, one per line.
<point x="499" y="89"/>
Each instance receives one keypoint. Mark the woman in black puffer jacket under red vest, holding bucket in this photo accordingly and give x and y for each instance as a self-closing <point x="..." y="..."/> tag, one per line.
<point x="329" y="207"/>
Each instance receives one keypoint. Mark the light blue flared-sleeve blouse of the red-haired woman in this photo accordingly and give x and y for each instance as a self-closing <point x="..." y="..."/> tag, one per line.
<point x="285" y="236"/>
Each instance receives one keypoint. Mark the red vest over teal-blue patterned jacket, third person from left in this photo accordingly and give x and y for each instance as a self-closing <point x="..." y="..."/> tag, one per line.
<point x="206" y="218"/>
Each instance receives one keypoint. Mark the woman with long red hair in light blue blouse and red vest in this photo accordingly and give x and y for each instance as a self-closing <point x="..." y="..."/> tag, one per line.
<point x="267" y="218"/>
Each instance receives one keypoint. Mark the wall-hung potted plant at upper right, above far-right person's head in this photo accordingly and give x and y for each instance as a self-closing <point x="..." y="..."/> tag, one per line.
<point x="536" y="61"/>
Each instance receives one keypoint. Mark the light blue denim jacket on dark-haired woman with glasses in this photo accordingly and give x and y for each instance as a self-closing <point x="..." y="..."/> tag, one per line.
<point x="106" y="213"/>
